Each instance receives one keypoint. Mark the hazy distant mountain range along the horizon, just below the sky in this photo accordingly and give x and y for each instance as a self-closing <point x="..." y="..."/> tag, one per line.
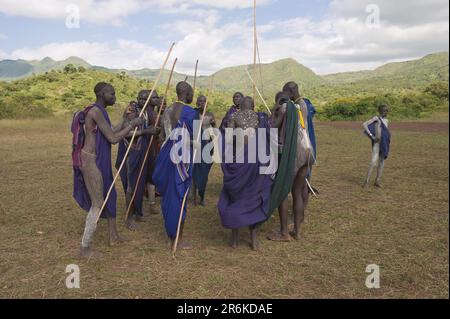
<point x="401" y="75"/>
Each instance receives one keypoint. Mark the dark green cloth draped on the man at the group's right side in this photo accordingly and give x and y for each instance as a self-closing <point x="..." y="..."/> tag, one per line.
<point x="285" y="174"/>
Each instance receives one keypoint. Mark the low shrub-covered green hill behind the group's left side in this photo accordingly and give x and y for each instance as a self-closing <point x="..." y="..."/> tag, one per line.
<point x="63" y="92"/>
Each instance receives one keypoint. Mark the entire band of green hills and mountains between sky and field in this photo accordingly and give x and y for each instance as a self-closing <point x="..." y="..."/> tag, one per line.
<point x="414" y="88"/>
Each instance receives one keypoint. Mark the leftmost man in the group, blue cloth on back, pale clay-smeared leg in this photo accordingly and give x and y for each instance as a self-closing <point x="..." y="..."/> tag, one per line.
<point x="93" y="136"/>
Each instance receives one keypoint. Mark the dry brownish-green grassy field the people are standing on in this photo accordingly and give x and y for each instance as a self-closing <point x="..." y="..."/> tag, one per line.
<point x="403" y="228"/>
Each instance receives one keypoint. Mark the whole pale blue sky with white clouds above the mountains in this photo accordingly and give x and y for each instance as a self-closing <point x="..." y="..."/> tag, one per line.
<point x="326" y="35"/>
